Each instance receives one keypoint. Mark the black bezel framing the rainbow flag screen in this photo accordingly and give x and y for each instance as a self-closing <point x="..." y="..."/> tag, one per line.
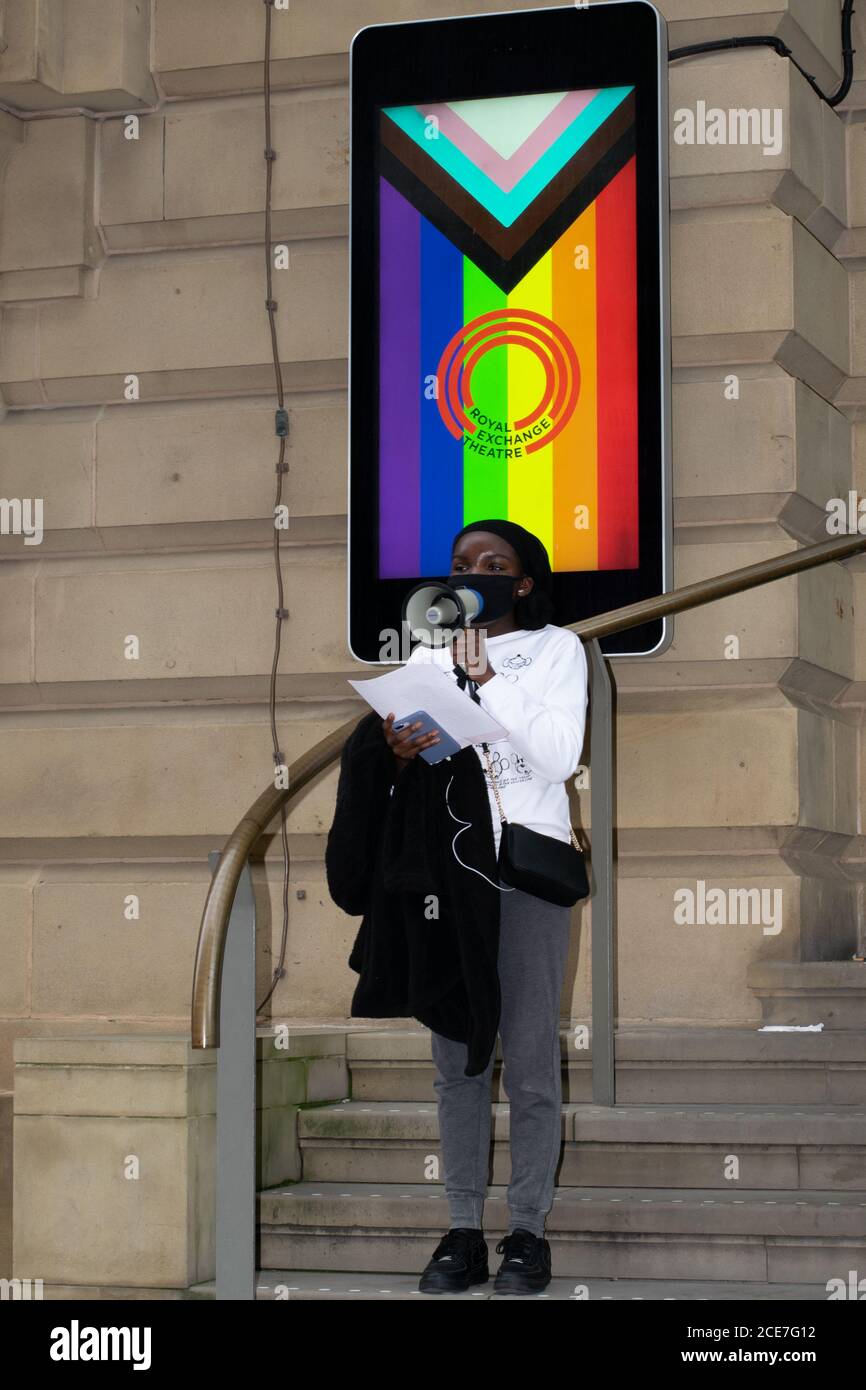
<point x="441" y="60"/>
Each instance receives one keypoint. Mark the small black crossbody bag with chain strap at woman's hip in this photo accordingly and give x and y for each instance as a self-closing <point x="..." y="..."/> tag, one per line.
<point x="537" y="864"/>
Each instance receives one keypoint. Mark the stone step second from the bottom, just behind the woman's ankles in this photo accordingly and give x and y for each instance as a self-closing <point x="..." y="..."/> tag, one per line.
<point x="800" y="1236"/>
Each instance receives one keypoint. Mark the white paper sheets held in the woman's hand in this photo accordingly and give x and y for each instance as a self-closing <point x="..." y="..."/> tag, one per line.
<point x="427" y="687"/>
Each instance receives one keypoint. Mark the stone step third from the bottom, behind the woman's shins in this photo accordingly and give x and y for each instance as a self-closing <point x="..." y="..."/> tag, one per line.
<point x="687" y="1146"/>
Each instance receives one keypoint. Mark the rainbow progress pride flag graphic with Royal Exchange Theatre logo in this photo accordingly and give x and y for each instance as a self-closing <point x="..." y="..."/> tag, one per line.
<point x="508" y="327"/>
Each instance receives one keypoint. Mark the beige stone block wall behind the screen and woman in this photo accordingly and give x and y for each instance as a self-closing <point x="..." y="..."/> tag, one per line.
<point x="147" y="258"/>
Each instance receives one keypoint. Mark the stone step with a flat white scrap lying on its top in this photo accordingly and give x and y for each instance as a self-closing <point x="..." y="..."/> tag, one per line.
<point x="676" y="1065"/>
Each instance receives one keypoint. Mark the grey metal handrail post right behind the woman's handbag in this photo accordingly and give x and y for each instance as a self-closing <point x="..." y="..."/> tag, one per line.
<point x="604" y="900"/>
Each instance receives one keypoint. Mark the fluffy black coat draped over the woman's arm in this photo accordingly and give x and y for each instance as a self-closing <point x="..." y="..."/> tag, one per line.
<point x="429" y="942"/>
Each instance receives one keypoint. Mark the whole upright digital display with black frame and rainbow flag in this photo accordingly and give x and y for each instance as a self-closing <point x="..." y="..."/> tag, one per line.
<point x="509" y="306"/>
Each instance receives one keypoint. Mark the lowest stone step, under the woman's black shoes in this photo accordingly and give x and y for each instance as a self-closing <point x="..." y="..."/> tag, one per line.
<point x="323" y="1285"/>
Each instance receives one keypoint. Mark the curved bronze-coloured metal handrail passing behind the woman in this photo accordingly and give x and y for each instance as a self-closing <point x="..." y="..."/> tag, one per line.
<point x="224" y="885"/>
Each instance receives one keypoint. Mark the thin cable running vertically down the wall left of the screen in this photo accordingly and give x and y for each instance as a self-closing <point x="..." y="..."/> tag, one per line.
<point x="283" y="430"/>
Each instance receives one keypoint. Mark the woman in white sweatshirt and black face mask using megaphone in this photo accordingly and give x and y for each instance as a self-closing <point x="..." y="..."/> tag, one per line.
<point x="532" y="676"/>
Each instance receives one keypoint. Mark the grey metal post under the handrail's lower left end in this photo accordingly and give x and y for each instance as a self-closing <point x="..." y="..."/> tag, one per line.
<point x="237" y="1100"/>
